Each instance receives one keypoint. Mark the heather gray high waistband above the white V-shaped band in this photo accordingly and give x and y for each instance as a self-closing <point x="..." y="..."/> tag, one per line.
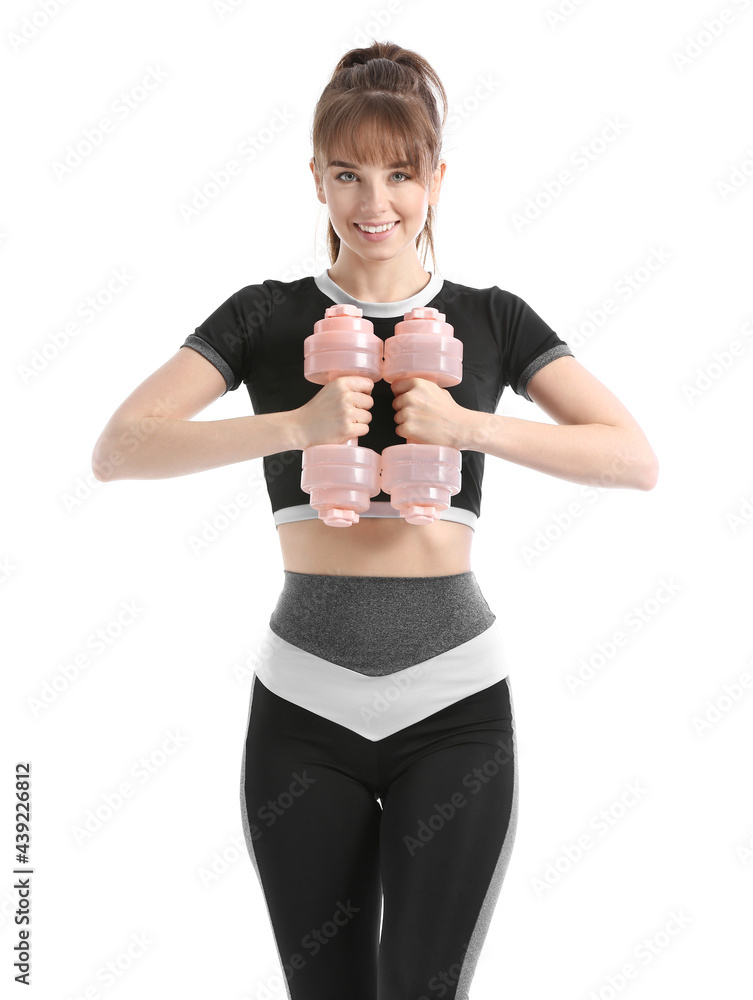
<point x="379" y="624"/>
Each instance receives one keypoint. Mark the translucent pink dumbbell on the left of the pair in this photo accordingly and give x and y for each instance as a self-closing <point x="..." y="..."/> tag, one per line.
<point x="341" y="478"/>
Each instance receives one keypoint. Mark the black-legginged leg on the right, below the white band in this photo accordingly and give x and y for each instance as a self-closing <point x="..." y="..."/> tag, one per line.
<point x="448" y="826"/>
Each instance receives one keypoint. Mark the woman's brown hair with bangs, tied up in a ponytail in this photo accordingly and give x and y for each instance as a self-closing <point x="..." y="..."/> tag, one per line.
<point x="379" y="106"/>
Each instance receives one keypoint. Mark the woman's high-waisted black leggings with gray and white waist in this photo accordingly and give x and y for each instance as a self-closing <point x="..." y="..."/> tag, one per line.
<point x="389" y="797"/>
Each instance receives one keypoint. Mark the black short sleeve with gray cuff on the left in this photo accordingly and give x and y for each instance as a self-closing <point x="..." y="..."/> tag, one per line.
<point x="227" y="338"/>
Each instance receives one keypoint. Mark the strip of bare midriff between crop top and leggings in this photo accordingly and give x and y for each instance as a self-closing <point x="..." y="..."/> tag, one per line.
<point x="376" y="546"/>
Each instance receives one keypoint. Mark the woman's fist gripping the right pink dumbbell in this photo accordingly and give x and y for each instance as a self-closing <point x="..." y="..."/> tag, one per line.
<point x="427" y="414"/>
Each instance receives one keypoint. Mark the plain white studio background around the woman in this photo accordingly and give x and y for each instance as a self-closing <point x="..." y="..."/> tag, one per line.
<point x="74" y="550"/>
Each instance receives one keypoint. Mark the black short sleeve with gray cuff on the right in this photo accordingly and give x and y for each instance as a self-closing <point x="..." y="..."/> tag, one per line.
<point x="527" y="343"/>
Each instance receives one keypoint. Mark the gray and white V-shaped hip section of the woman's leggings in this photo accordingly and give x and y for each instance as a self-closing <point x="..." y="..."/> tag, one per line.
<point x="380" y="654"/>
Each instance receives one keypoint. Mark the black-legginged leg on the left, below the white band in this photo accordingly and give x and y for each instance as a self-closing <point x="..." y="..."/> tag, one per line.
<point x="312" y="829"/>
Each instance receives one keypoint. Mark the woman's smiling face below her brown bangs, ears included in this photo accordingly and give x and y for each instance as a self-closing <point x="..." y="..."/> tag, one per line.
<point x="375" y="195"/>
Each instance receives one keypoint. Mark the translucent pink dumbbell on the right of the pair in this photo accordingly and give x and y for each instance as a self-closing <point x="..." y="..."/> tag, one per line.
<point x="421" y="478"/>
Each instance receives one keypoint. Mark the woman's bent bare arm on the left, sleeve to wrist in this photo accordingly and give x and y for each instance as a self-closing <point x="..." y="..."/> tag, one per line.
<point x="151" y="434"/>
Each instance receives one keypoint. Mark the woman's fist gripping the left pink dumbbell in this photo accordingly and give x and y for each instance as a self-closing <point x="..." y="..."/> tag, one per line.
<point x="338" y="412"/>
